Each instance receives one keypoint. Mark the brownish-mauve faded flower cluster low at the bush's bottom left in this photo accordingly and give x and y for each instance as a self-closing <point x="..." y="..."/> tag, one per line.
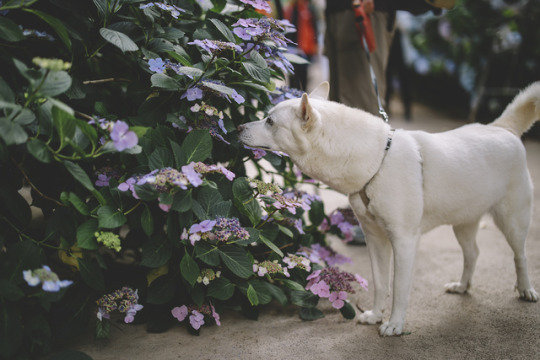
<point x="125" y="300"/>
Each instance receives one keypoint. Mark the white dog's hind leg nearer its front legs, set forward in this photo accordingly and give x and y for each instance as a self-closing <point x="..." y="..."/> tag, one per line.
<point x="466" y="236"/>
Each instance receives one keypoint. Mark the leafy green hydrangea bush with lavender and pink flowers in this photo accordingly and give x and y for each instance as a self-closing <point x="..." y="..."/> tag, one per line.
<point x="124" y="194"/>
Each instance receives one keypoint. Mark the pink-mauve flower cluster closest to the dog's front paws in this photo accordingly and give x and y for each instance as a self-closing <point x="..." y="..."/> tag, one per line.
<point x="334" y="284"/>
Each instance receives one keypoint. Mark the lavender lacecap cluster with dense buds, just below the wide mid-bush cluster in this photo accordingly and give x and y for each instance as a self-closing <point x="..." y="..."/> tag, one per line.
<point x="220" y="230"/>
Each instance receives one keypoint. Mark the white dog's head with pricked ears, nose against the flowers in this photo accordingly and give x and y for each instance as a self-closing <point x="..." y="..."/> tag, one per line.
<point x="289" y="126"/>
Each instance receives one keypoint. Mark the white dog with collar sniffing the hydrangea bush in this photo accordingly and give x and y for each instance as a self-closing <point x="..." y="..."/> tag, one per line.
<point x="403" y="184"/>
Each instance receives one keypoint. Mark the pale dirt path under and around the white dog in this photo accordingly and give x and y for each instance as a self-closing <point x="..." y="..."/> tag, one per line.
<point x="488" y="323"/>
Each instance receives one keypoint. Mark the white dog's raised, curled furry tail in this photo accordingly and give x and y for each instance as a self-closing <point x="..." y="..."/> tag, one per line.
<point x="523" y="111"/>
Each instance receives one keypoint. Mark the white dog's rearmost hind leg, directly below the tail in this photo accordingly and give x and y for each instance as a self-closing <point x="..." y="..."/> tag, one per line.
<point x="513" y="217"/>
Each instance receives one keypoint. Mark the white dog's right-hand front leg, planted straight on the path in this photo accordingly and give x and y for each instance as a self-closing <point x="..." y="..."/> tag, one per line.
<point x="404" y="252"/>
